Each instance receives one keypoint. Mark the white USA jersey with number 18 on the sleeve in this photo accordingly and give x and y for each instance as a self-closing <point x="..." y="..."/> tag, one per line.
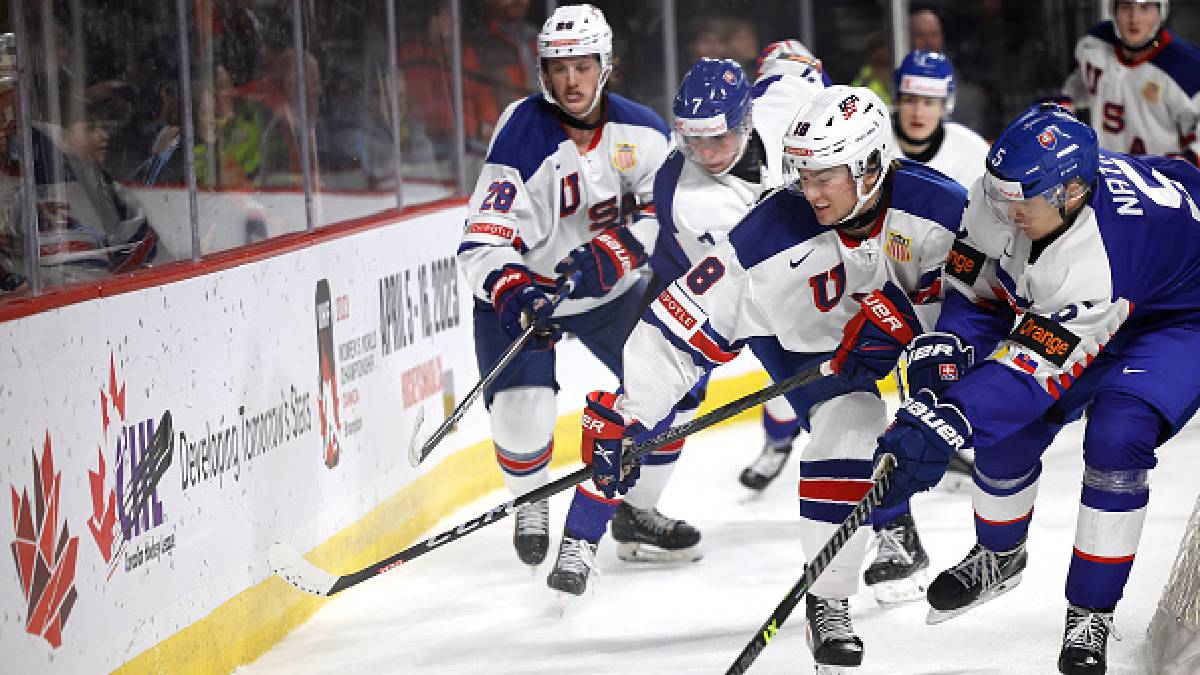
<point x="783" y="274"/>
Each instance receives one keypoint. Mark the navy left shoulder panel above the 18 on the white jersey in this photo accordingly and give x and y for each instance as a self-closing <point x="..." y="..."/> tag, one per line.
<point x="779" y="223"/>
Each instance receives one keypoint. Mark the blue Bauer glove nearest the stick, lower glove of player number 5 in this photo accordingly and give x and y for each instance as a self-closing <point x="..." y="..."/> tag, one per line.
<point x="923" y="438"/>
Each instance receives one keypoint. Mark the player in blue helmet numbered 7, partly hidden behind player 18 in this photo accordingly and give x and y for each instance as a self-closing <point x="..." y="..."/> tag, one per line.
<point x="716" y="175"/>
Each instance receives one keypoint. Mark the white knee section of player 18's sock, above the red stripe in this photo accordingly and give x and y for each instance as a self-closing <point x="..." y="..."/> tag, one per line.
<point x="847" y="427"/>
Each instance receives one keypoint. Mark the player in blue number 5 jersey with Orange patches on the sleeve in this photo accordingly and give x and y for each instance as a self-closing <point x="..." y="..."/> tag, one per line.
<point x="1077" y="272"/>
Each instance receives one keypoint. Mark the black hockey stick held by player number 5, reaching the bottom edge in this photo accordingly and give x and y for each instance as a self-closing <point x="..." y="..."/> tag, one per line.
<point x="883" y="479"/>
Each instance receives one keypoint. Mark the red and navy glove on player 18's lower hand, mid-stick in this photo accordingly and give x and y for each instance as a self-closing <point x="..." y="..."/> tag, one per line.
<point x="607" y="437"/>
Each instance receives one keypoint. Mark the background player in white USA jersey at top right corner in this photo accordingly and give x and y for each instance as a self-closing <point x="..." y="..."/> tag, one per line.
<point x="1141" y="83"/>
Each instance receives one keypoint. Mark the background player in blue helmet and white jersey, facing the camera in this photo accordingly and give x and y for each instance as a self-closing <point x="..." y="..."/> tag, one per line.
<point x="925" y="87"/>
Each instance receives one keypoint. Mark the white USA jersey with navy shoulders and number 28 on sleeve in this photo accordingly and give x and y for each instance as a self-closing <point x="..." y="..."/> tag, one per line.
<point x="539" y="195"/>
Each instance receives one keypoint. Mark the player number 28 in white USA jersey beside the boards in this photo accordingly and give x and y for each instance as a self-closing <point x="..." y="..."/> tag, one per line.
<point x="567" y="188"/>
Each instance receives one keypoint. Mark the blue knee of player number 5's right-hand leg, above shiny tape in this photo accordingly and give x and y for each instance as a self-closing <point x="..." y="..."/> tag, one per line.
<point x="1123" y="433"/>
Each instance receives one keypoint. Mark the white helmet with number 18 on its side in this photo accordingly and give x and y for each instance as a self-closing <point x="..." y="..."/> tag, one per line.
<point x="841" y="127"/>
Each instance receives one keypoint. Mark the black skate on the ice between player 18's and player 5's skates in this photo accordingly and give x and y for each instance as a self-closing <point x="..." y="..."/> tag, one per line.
<point x="899" y="571"/>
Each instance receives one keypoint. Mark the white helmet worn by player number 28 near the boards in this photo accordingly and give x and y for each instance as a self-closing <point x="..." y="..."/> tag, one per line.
<point x="575" y="31"/>
